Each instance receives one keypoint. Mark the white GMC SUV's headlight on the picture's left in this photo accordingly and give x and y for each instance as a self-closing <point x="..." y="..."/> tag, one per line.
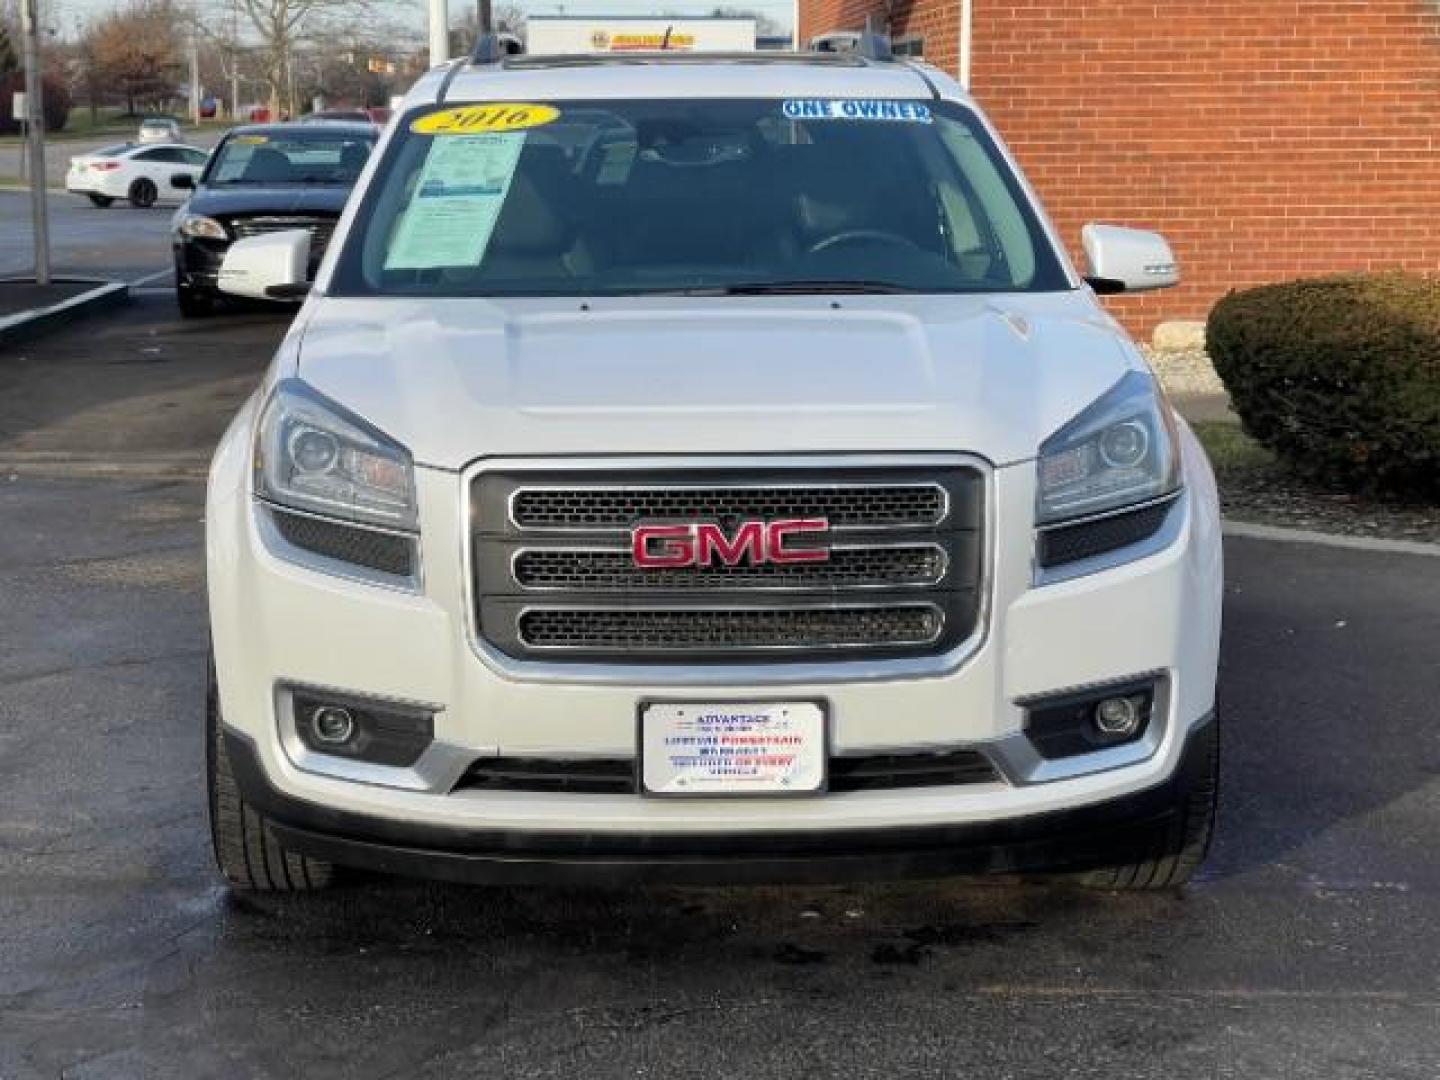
<point x="315" y="456"/>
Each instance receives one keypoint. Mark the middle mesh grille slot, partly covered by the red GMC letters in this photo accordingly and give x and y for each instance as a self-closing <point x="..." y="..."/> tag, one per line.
<point x="616" y="571"/>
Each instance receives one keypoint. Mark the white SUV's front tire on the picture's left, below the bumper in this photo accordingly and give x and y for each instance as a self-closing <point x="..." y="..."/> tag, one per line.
<point x="246" y="849"/>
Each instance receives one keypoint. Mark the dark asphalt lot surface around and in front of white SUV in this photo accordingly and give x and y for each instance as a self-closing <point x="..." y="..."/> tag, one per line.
<point x="1307" y="950"/>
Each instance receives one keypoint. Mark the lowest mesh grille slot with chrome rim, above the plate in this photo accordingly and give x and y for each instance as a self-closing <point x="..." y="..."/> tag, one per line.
<point x="653" y="630"/>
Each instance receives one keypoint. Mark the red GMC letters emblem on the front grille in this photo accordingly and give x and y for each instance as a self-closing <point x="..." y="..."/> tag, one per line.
<point x="706" y="544"/>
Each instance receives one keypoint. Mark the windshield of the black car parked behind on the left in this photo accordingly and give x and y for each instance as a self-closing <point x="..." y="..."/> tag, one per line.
<point x="299" y="158"/>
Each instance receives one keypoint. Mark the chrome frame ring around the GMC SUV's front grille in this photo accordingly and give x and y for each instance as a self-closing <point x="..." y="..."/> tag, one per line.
<point x="771" y="675"/>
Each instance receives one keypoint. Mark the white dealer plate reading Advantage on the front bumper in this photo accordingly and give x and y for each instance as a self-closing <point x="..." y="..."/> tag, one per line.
<point x="732" y="748"/>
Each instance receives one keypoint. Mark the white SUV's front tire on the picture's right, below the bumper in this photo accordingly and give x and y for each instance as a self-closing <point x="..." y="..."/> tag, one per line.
<point x="1179" y="852"/>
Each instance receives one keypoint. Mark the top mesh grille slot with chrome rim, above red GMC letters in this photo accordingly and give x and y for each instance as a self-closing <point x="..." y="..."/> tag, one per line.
<point x="600" y="508"/>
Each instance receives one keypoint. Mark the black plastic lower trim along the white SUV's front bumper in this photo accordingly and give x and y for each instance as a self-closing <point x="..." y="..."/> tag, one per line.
<point x="1071" y="840"/>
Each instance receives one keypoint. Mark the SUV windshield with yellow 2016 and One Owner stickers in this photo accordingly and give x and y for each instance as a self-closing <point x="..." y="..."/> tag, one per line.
<point x="629" y="198"/>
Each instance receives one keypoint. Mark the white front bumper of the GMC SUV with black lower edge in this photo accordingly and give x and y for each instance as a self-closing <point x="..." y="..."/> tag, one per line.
<point x="276" y="623"/>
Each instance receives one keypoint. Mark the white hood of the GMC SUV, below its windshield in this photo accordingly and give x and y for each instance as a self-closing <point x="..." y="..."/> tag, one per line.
<point x="462" y="379"/>
